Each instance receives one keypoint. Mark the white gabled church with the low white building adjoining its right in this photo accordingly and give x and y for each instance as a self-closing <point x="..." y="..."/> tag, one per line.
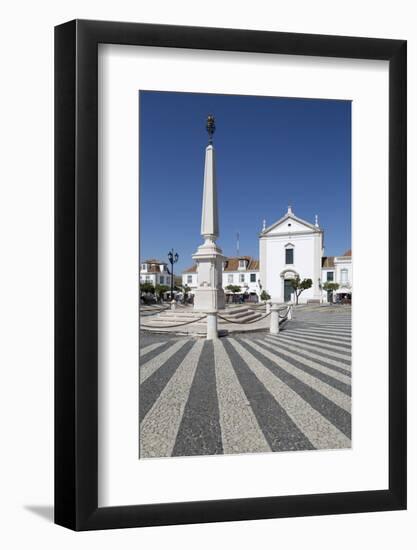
<point x="292" y="247"/>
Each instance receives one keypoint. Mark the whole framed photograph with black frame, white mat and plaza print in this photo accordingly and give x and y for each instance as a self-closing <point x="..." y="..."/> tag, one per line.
<point x="230" y="244"/>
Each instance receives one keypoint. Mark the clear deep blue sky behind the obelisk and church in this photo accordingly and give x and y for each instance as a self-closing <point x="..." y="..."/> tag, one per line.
<point x="270" y="152"/>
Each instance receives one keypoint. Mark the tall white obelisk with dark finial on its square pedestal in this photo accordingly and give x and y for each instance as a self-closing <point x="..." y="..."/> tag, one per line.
<point x="209" y="295"/>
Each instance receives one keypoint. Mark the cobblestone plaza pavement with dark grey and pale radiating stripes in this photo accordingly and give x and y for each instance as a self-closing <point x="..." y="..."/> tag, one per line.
<point x="249" y="393"/>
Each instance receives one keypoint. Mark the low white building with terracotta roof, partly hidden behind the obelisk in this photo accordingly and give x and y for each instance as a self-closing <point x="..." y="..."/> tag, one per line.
<point x="240" y="271"/>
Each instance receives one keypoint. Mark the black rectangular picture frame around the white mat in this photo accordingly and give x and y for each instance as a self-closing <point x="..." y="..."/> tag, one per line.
<point x="76" y="272"/>
